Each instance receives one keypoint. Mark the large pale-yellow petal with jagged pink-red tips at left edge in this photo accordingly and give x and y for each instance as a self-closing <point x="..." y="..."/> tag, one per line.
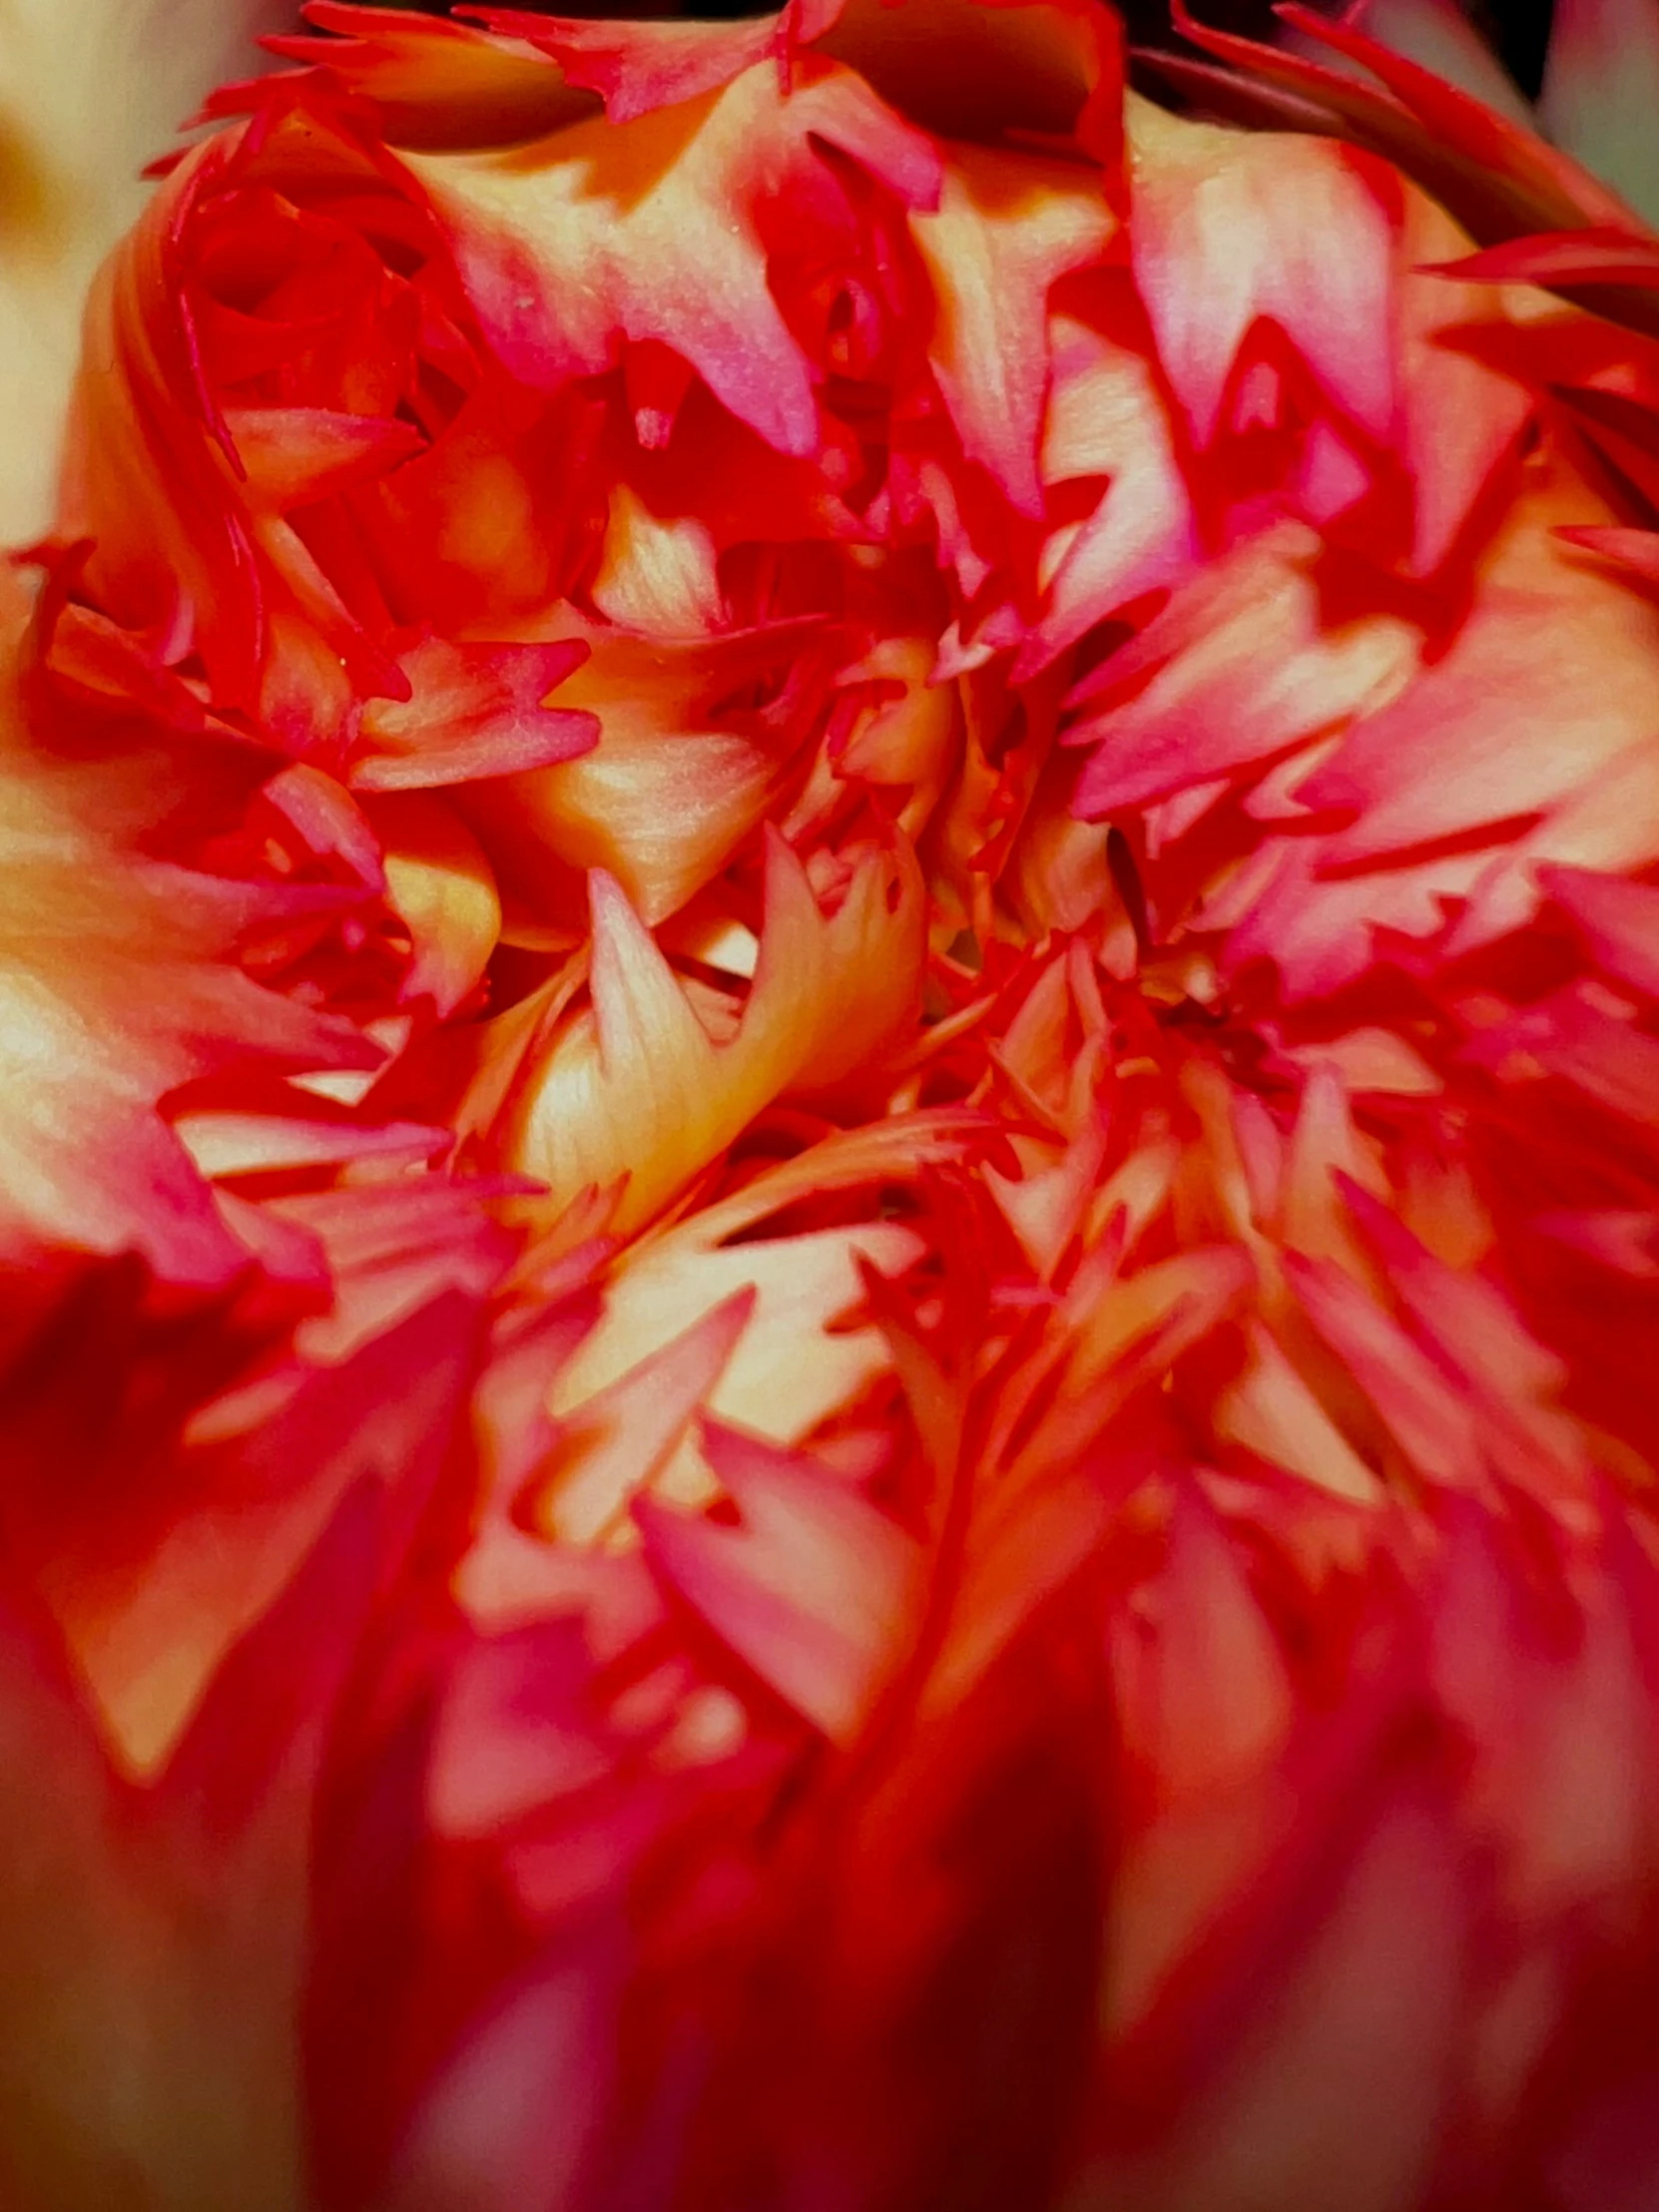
<point x="118" y="983"/>
